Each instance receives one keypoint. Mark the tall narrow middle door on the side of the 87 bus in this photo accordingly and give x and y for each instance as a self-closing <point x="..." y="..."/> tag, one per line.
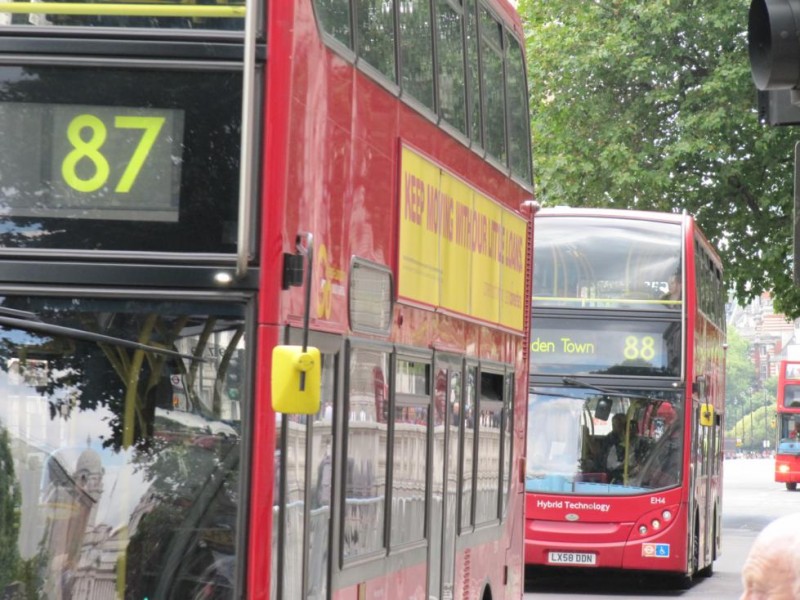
<point x="444" y="514"/>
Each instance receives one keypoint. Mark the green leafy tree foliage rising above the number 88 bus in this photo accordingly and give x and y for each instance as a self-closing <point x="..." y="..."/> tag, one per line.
<point x="650" y="105"/>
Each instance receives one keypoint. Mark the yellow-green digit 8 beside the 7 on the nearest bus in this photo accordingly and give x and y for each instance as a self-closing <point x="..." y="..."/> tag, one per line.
<point x="88" y="150"/>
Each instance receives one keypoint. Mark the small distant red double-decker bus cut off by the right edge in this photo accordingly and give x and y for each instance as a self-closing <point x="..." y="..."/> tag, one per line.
<point x="787" y="454"/>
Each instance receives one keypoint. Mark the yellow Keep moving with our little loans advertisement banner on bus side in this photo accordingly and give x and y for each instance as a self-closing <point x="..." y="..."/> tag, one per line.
<point x="459" y="250"/>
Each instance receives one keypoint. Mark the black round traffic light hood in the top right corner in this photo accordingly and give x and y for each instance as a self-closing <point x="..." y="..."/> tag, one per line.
<point x="774" y="45"/>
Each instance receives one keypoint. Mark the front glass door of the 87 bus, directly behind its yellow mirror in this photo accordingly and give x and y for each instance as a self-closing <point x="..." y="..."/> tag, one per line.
<point x="304" y="488"/>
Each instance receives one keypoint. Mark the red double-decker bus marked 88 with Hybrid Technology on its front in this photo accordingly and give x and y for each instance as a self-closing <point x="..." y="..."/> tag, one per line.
<point x="625" y="421"/>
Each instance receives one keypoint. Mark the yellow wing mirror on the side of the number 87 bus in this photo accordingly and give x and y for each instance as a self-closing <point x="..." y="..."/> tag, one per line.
<point x="296" y="378"/>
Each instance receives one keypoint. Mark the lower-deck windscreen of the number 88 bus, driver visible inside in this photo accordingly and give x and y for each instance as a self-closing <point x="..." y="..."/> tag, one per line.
<point x="583" y="441"/>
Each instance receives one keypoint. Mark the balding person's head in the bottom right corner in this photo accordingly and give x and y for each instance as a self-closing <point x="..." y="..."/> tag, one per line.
<point x="772" y="568"/>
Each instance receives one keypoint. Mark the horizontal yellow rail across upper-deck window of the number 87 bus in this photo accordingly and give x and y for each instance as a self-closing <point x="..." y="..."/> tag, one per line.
<point x="124" y="9"/>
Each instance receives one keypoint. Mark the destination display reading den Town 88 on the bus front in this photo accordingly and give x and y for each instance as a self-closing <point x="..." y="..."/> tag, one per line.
<point x="604" y="347"/>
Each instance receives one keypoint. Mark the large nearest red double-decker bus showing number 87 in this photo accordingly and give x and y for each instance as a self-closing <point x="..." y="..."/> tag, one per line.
<point x="264" y="299"/>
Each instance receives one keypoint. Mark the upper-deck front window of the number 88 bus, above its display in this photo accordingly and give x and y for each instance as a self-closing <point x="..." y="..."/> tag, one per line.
<point x="607" y="263"/>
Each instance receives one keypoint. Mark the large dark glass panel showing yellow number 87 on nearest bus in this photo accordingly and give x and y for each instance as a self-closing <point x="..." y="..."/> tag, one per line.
<point x="119" y="159"/>
